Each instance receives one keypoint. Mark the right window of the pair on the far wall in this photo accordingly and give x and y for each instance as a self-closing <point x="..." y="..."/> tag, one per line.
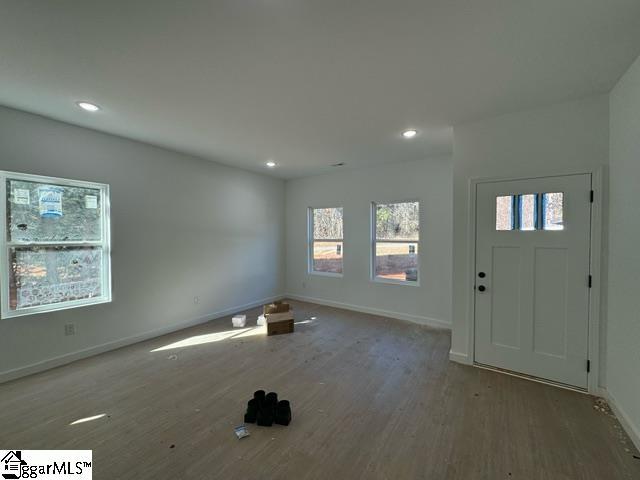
<point x="396" y="240"/>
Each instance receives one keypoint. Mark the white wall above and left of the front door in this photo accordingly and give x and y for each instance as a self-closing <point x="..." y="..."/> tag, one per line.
<point x="564" y="138"/>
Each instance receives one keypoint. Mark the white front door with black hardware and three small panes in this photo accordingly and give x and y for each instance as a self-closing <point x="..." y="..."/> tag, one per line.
<point x="532" y="276"/>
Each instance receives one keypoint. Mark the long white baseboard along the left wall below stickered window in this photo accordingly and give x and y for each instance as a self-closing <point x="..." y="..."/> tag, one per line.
<point x="123" y="342"/>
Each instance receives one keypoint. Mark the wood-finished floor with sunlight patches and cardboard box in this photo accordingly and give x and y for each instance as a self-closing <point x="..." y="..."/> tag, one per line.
<point x="372" y="398"/>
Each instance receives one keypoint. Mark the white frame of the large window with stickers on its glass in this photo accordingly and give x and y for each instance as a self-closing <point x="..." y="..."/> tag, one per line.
<point x="6" y="245"/>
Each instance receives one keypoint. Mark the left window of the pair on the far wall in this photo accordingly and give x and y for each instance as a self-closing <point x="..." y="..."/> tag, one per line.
<point x="325" y="241"/>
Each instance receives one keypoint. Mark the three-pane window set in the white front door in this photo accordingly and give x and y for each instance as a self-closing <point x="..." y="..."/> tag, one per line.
<point x="529" y="212"/>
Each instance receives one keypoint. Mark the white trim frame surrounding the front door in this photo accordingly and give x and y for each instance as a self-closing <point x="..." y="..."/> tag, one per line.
<point x="595" y="333"/>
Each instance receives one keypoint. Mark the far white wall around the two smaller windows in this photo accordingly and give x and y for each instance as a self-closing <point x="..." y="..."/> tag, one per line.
<point x="428" y="181"/>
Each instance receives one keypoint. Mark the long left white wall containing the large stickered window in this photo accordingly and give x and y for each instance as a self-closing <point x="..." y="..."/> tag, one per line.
<point x="181" y="227"/>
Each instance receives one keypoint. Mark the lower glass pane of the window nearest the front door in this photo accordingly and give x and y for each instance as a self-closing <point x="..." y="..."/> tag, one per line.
<point x="397" y="261"/>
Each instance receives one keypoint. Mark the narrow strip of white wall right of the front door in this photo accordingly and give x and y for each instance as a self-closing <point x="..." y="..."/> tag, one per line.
<point x="623" y="365"/>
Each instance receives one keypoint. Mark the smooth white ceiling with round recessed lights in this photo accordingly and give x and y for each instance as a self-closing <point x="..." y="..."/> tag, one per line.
<point x="306" y="83"/>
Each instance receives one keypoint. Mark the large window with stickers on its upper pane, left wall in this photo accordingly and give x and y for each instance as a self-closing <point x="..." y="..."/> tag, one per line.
<point x="54" y="245"/>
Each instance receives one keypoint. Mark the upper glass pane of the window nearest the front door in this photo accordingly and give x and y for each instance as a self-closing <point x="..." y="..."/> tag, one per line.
<point x="398" y="221"/>
